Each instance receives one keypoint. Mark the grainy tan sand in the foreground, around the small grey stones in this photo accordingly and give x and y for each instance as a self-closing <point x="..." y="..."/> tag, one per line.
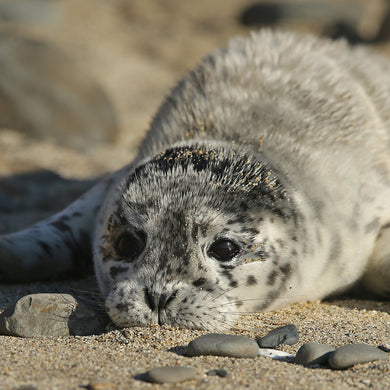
<point x="119" y="356"/>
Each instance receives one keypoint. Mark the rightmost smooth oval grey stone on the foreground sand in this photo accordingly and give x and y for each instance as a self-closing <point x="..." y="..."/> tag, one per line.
<point x="349" y="355"/>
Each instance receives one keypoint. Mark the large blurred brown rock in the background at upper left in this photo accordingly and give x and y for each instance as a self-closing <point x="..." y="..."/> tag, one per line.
<point x="45" y="93"/>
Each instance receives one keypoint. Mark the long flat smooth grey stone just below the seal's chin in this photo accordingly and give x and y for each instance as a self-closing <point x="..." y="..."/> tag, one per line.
<point x="223" y="345"/>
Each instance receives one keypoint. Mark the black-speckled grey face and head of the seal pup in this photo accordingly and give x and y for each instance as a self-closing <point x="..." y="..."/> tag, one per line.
<point x="194" y="236"/>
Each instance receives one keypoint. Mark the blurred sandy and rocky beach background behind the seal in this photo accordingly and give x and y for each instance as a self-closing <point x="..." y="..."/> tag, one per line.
<point x="81" y="80"/>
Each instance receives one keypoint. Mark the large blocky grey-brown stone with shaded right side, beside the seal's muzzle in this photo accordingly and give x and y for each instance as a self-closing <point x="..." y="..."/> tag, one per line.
<point x="51" y="315"/>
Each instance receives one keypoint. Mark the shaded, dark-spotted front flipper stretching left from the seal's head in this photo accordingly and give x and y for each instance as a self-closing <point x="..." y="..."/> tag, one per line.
<point x="56" y="247"/>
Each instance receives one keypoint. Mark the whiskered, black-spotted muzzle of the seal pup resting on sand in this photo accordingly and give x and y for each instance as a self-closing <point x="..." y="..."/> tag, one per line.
<point x="182" y="306"/>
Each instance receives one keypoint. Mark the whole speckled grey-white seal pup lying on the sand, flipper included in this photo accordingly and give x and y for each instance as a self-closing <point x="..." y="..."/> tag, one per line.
<point x="264" y="180"/>
